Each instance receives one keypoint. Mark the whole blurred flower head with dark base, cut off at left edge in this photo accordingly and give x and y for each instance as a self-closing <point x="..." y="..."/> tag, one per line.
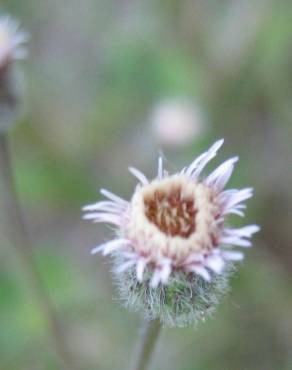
<point x="11" y="48"/>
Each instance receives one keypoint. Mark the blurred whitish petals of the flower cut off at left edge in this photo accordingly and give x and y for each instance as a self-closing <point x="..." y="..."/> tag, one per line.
<point x="11" y="40"/>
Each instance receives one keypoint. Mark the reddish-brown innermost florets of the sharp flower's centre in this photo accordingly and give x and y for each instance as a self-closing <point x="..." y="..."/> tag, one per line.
<point x="171" y="213"/>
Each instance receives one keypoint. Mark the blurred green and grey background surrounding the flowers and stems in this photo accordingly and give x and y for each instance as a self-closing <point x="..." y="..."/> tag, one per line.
<point x="112" y="84"/>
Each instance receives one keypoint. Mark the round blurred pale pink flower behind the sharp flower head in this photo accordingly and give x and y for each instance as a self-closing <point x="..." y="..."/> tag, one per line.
<point x="176" y="122"/>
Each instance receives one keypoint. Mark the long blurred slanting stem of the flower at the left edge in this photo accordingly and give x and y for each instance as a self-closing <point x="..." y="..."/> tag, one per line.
<point x="19" y="237"/>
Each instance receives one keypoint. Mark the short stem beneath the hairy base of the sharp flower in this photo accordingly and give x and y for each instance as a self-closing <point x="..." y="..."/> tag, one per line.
<point x="144" y="350"/>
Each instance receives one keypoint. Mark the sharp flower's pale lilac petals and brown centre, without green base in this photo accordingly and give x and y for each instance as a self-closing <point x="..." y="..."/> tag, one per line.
<point x="176" y="222"/>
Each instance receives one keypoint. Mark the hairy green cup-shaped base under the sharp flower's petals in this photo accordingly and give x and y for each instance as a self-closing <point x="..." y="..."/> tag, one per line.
<point x="186" y="299"/>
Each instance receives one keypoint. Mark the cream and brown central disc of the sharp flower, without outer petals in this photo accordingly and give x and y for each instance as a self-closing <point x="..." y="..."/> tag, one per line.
<point x="173" y="217"/>
